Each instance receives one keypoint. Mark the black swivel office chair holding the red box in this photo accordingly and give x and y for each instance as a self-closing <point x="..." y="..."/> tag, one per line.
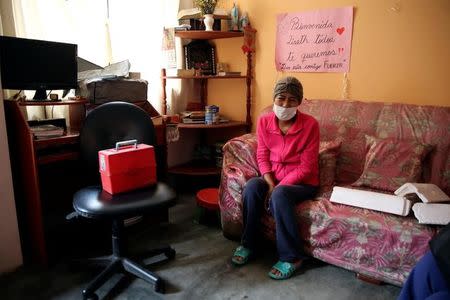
<point x="103" y="127"/>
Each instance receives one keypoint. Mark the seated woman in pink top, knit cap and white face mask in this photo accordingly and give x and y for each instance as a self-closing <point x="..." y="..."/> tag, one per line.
<point x="287" y="155"/>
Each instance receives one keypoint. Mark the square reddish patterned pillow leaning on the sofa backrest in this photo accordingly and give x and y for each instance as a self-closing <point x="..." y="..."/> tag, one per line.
<point x="391" y="162"/>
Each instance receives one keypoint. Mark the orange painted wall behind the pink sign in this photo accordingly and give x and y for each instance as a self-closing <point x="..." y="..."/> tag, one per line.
<point x="400" y="53"/>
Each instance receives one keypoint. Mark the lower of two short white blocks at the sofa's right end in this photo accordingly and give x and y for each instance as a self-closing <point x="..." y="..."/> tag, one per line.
<point x="432" y="213"/>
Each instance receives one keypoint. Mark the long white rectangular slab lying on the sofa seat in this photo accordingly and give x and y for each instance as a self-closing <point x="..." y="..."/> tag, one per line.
<point x="371" y="200"/>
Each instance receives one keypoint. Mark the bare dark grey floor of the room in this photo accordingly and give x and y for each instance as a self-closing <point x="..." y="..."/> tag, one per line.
<point x="201" y="270"/>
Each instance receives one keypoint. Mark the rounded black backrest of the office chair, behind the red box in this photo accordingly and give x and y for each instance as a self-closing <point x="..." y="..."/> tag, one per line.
<point x="110" y="123"/>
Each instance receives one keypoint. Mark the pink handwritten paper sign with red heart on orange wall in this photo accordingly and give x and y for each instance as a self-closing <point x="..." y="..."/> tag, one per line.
<point x="314" y="41"/>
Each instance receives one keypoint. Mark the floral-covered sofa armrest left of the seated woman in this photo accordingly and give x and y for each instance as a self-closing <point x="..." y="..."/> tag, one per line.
<point x="239" y="165"/>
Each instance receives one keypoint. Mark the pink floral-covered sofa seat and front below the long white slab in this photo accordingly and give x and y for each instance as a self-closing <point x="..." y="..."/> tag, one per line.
<point x="379" y="245"/>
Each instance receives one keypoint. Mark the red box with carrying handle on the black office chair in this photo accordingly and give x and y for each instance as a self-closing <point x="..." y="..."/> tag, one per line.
<point x="127" y="168"/>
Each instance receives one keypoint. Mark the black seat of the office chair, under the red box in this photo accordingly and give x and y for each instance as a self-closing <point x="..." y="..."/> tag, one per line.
<point x="94" y="202"/>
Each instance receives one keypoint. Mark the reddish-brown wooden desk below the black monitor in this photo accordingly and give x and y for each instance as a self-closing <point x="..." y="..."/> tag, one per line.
<point x="25" y="160"/>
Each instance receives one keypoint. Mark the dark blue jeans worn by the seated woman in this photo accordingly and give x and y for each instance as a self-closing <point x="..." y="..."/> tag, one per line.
<point x="282" y="206"/>
